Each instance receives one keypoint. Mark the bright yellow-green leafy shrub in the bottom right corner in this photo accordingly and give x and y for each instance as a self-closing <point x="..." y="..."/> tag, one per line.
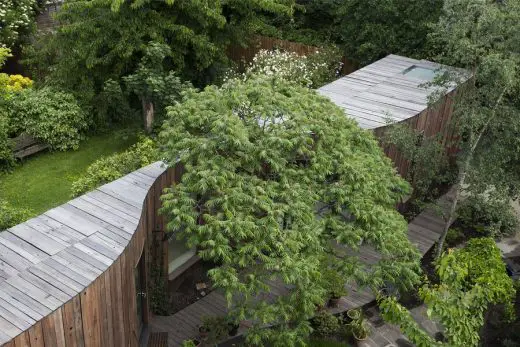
<point x="471" y="280"/>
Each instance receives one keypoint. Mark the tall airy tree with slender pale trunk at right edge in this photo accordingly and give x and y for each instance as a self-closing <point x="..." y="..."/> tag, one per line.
<point x="482" y="37"/>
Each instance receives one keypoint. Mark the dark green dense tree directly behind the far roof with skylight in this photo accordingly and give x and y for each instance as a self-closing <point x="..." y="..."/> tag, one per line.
<point x="367" y="30"/>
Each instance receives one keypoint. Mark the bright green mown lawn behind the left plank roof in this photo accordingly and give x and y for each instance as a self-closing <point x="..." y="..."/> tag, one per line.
<point x="44" y="181"/>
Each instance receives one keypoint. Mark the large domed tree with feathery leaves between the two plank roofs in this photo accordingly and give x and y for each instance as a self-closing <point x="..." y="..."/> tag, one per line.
<point x="277" y="182"/>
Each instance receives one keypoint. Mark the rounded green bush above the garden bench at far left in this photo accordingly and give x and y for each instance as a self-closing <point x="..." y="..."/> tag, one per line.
<point x="51" y="116"/>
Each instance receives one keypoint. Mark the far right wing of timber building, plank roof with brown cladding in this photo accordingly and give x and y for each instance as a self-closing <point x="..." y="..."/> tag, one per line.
<point x="394" y="90"/>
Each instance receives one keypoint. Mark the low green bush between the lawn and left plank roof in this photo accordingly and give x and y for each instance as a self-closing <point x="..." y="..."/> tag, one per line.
<point x="108" y="169"/>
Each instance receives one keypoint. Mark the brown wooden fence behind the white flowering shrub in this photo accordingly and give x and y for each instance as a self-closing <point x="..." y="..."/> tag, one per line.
<point x="245" y="55"/>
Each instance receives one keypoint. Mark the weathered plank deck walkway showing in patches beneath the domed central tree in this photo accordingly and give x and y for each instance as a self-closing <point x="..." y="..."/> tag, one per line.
<point x="423" y="232"/>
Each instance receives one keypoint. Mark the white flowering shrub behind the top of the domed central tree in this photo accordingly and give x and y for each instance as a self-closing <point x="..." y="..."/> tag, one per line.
<point x="310" y="71"/>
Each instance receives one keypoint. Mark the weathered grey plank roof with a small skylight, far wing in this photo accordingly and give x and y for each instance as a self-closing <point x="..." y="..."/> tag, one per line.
<point x="389" y="90"/>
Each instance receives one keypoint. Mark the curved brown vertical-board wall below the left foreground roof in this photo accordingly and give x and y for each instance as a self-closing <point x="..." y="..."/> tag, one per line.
<point x="105" y="312"/>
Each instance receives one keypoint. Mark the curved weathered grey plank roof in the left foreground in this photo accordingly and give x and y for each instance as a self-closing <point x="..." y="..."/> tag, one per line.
<point x="49" y="259"/>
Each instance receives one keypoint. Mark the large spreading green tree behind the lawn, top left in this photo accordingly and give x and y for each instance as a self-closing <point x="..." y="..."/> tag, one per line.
<point x="100" y="40"/>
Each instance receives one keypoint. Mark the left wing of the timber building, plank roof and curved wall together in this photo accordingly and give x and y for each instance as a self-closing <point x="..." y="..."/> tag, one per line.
<point x="103" y="312"/>
